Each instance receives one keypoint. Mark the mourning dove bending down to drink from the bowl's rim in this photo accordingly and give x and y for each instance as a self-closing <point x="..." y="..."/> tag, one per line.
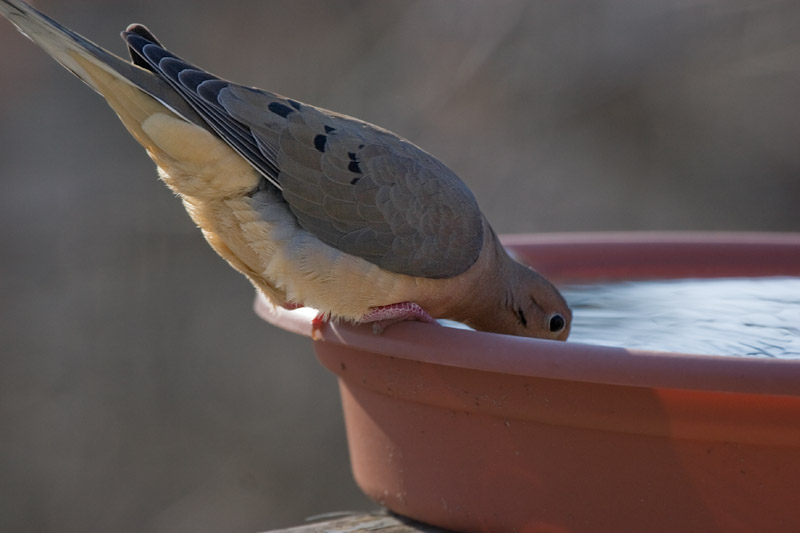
<point x="316" y="208"/>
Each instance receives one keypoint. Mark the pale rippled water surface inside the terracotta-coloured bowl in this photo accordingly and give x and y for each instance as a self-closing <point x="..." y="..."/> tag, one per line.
<point x="753" y="316"/>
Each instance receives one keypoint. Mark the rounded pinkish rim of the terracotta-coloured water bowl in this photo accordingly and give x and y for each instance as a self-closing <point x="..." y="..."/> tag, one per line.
<point x="567" y="360"/>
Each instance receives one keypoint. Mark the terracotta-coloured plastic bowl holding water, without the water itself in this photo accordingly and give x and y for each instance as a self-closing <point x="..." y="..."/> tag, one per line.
<point x="483" y="432"/>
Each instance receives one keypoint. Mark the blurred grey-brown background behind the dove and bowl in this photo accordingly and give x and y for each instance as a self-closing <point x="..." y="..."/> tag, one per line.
<point x="138" y="392"/>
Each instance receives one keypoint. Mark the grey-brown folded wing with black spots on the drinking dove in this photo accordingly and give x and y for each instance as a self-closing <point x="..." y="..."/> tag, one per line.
<point x="356" y="187"/>
